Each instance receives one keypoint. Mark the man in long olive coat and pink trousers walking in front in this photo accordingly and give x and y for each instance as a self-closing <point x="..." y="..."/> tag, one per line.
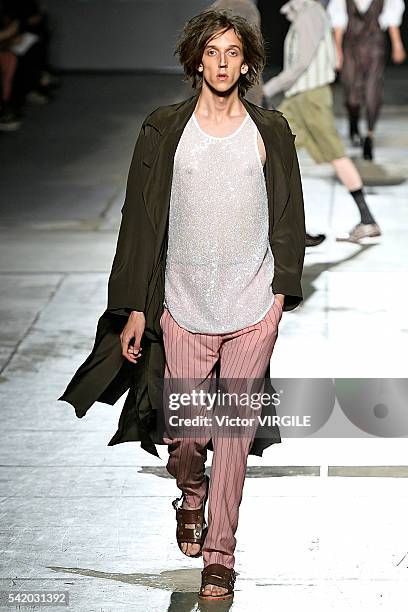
<point x="210" y="251"/>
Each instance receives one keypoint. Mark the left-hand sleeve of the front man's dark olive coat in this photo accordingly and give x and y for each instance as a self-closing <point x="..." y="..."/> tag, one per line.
<point x="134" y="257"/>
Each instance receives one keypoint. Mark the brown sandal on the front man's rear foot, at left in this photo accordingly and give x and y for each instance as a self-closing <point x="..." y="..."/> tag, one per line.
<point x="191" y="524"/>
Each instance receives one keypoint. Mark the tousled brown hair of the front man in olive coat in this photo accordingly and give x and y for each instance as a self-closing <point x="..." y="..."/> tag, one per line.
<point x="201" y="28"/>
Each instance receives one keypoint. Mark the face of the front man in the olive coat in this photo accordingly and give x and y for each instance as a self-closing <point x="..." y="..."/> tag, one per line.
<point x="223" y="61"/>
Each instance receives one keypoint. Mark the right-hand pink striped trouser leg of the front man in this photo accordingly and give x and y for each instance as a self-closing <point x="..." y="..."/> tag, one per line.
<point x="244" y="355"/>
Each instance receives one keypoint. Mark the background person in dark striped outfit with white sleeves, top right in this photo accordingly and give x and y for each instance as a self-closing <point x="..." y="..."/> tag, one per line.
<point x="359" y="27"/>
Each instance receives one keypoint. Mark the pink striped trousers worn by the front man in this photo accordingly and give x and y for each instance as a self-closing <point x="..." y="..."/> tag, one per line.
<point x="244" y="354"/>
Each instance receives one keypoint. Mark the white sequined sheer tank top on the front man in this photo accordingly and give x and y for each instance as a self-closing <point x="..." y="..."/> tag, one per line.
<point x="219" y="266"/>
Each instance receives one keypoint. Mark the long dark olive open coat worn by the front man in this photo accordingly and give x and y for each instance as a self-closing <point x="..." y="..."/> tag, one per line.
<point x="136" y="281"/>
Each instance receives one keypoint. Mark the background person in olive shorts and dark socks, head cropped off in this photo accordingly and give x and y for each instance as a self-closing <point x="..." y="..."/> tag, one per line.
<point x="309" y="68"/>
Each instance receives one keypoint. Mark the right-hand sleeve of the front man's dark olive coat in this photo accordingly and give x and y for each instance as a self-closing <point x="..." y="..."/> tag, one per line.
<point x="288" y="239"/>
